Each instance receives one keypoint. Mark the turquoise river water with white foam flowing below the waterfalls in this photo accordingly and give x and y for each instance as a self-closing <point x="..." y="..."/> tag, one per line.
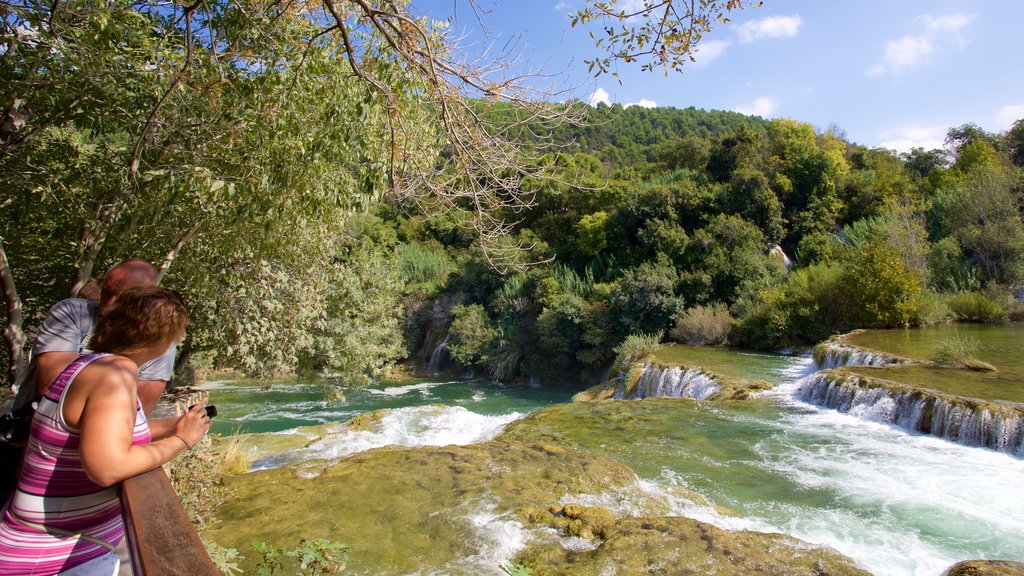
<point x="899" y="504"/>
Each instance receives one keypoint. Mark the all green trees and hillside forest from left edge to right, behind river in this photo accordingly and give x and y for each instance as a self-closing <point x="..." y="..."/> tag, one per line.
<point x="338" y="216"/>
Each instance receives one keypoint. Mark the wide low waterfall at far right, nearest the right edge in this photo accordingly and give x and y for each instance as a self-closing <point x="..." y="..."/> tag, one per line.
<point x="990" y="425"/>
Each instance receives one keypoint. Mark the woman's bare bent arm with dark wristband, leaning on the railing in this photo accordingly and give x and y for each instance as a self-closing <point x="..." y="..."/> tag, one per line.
<point x="107" y="424"/>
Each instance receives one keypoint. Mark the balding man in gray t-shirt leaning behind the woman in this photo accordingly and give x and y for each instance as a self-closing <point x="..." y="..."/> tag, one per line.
<point x="69" y="326"/>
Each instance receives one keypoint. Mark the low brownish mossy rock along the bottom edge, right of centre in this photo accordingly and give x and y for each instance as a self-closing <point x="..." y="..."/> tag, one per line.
<point x="676" y="546"/>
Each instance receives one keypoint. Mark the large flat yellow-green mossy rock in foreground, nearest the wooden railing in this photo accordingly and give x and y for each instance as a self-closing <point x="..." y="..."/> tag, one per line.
<point x="402" y="510"/>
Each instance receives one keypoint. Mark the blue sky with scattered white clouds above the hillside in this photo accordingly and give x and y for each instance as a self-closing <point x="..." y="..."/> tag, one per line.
<point x="893" y="74"/>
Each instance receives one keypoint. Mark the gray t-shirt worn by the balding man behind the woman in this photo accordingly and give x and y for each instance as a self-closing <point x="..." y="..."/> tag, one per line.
<point x="69" y="327"/>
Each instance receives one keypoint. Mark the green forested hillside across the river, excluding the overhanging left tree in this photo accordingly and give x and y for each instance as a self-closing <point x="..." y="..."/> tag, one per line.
<point x="714" y="228"/>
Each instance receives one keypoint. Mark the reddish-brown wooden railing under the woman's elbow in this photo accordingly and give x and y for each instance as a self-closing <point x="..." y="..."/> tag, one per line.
<point x="161" y="539"/>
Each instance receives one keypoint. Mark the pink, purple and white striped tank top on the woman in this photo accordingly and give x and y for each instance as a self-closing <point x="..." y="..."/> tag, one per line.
<point x="55" y="491"/>
